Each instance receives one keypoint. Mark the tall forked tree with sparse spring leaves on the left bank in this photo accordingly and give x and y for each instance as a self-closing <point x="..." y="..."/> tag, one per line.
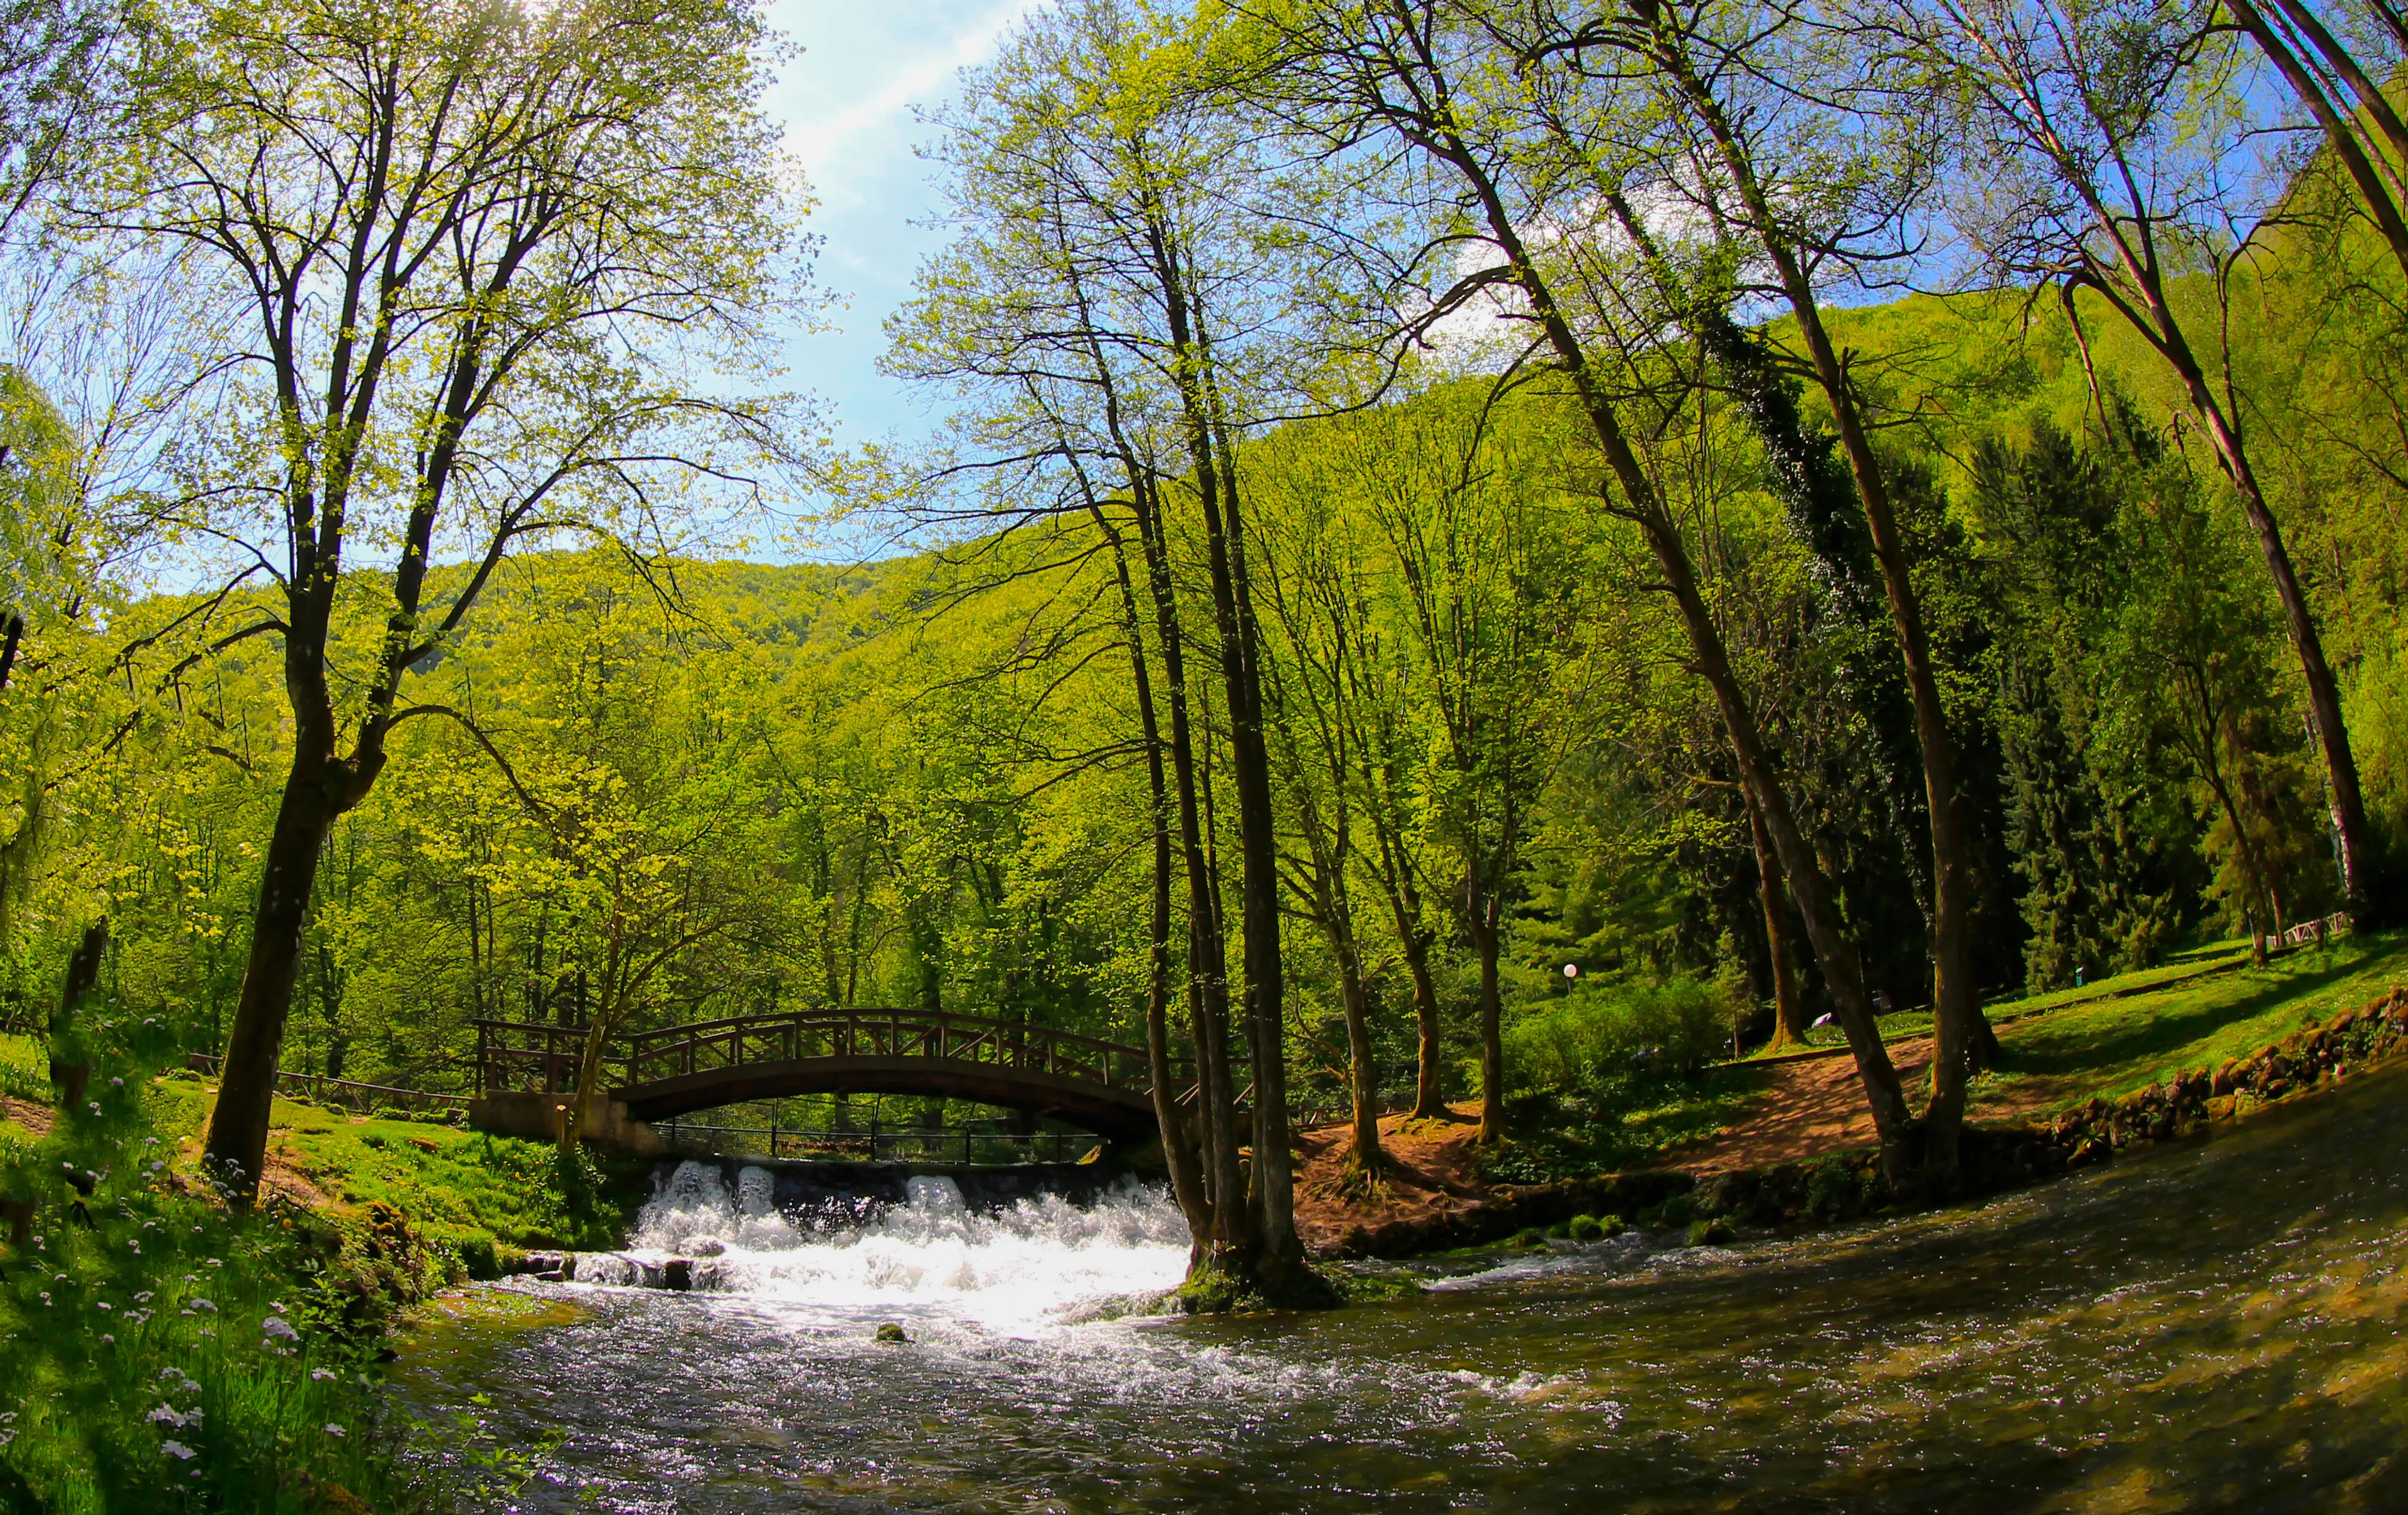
<point x="483" y="254"/>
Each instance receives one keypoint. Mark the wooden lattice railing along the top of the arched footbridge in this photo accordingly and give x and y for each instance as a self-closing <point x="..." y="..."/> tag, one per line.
<point x="545" y="1059"/>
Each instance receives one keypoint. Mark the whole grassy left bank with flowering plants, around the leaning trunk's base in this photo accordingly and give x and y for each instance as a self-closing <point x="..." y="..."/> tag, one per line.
<point x="160" y="1352"/>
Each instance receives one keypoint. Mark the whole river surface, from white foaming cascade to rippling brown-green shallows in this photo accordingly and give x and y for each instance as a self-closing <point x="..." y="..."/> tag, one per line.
<point x="2214" y="1326"/>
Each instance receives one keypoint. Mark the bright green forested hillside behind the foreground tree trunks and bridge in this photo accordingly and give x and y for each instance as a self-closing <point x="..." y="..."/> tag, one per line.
<point x="695" y="789"/>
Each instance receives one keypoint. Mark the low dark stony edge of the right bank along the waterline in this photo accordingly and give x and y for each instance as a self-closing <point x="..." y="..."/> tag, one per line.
<point x="1848" y="1186"/>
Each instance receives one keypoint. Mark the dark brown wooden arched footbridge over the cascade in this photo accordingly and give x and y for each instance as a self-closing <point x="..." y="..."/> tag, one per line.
<point x="673" y="1071"/>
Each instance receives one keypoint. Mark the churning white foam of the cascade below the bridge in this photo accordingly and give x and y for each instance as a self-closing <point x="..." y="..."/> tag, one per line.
<point x="933" y="1256"/>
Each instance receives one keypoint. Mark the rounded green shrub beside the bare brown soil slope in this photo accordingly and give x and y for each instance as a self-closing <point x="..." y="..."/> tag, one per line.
<point x="1617" y="1032"/>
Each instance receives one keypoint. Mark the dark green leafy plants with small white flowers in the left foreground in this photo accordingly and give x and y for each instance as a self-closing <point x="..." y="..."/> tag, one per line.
<point x="165" y="1355"/>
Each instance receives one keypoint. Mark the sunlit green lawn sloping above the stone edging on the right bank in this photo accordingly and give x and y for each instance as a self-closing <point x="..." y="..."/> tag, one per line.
<point x="2115" y="1047"/>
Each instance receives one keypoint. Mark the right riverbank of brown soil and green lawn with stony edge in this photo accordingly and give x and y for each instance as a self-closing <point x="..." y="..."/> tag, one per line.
<point x="1800" y="1128"/>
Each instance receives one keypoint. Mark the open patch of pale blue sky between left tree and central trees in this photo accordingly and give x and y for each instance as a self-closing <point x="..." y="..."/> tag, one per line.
<point x="849" y="119"/>
